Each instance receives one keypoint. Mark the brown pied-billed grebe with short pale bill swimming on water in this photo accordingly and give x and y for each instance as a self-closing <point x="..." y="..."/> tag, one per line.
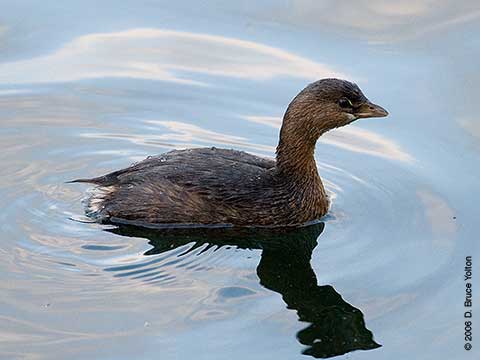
<point x="210" y="186"/>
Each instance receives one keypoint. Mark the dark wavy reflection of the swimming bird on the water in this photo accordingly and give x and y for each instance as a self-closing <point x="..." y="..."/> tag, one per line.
<point x="335" y="327"/>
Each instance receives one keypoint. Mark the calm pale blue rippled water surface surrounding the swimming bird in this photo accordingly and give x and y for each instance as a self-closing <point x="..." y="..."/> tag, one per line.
<point x="88" y="88"/>
